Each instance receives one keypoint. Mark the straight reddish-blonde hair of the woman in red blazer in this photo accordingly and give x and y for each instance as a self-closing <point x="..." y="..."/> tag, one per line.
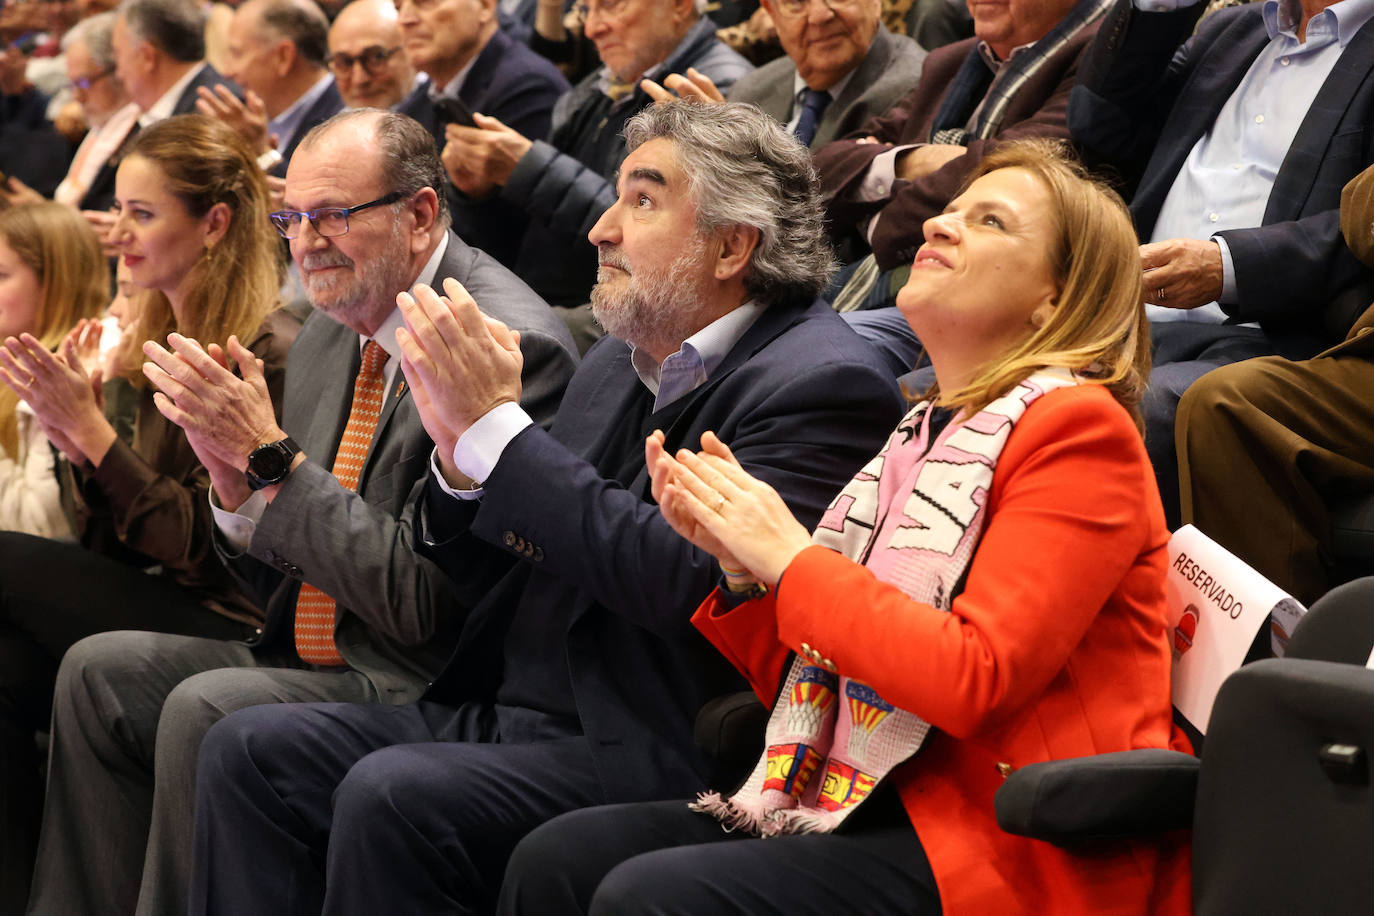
<point x="1099" y="330"/>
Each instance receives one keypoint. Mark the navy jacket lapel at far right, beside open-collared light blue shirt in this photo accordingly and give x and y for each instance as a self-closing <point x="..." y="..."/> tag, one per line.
<point x="1307" y="154"/>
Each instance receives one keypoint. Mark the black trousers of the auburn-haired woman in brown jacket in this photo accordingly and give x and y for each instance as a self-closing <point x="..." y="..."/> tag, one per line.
<point x="53" y="595"/>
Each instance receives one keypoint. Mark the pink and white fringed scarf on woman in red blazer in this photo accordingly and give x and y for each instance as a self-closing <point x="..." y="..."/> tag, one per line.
<point x="913" y="516"/>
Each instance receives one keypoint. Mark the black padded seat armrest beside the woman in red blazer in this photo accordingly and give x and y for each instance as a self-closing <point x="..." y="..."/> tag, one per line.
<point x="1119" y="794"/>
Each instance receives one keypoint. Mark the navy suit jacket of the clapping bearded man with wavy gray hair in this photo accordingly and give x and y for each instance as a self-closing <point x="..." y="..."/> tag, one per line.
<point x="800" y="399"/>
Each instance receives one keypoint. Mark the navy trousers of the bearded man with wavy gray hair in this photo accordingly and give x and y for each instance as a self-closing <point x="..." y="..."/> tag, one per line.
<point x="376" y="810"/>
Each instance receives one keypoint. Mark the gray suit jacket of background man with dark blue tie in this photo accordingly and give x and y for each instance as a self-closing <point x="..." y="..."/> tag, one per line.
<point x="890" y="71"/>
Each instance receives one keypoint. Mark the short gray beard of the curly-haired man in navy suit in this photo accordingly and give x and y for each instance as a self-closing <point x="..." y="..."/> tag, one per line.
<point x="657" y="310"/>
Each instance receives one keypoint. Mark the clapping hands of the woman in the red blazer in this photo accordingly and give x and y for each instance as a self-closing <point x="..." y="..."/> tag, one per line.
<point x="712" y="502"/>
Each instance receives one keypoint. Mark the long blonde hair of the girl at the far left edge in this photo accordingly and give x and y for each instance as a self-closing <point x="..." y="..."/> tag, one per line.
<point x="64" y="253"/>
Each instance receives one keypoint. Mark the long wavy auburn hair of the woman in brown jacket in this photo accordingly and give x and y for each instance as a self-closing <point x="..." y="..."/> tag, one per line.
<point x="237" y="284"/>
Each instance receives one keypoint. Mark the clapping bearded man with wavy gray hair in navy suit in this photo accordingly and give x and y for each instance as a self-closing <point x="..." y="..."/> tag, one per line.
<point x="576" y="678"/>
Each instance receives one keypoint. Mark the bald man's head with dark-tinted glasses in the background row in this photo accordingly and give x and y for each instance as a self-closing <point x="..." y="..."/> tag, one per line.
<point x="370" y="67"/>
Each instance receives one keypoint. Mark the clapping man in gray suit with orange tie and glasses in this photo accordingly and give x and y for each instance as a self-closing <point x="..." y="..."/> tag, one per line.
<point x="314" y="517"/>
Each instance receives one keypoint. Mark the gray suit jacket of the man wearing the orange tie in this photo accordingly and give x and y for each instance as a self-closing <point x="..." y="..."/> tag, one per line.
<point x="396" y="619"/>
